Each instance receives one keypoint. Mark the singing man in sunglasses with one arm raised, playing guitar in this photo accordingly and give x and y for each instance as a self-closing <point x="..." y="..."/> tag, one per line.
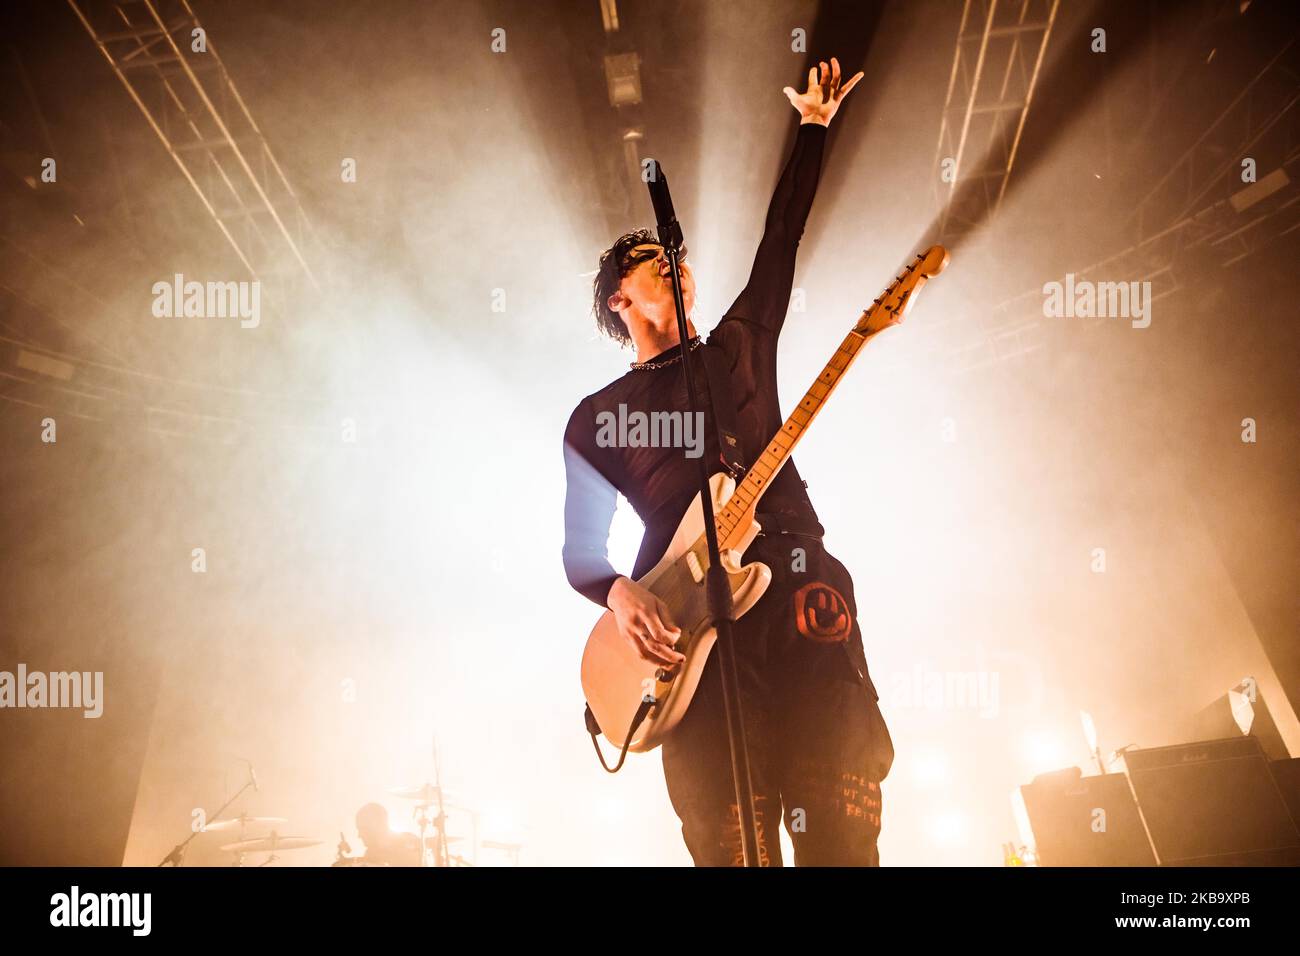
<point x="818" y="745"/>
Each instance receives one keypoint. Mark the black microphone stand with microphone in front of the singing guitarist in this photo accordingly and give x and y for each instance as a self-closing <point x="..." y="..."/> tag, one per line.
<point x="721" y="609"/>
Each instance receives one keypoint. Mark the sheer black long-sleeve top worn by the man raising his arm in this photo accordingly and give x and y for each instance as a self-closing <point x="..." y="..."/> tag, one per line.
<point x="661" y="482"/>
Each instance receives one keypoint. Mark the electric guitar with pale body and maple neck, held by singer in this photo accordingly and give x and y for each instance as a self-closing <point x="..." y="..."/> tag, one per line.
<point x="616" y="680"/>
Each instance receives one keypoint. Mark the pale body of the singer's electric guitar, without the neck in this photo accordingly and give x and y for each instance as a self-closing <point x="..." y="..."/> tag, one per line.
<point x="616" y="678"/>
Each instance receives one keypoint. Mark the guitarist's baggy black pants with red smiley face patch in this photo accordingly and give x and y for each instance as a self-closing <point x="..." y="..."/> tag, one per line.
<point x="818" y="745"/>
